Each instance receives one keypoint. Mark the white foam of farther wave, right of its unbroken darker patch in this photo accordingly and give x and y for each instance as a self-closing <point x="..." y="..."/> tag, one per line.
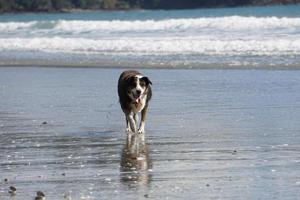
<point x="234" y="22"/>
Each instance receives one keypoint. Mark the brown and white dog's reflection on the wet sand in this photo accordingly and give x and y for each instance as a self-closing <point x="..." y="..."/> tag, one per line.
<point x="135" y="161"/>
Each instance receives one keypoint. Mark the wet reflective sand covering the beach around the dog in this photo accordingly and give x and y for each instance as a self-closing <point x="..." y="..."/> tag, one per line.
<point x="210" y="134"/>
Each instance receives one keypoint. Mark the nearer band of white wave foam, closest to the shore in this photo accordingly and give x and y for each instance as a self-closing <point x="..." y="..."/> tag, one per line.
<point x="157" y="46"/>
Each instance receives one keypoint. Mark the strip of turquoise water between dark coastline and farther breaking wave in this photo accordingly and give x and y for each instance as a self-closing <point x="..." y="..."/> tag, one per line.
<point x="279" y="11"/>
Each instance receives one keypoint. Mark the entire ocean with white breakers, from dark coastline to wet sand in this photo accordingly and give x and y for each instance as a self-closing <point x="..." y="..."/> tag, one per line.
<point x="249" y="37"/>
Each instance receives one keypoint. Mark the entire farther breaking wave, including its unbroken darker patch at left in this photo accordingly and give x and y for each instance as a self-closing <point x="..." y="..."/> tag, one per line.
<point x="196" y="24"/>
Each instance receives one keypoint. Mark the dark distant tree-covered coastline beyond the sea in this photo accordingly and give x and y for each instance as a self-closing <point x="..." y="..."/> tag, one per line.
<point x="11" y="6"/>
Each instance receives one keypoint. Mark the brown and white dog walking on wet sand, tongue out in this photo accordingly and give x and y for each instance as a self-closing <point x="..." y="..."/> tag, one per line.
<point x="134" y="95"/>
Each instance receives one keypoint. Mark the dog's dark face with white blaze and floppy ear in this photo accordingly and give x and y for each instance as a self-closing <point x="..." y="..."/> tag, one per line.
<point x="137" y="87"/>
